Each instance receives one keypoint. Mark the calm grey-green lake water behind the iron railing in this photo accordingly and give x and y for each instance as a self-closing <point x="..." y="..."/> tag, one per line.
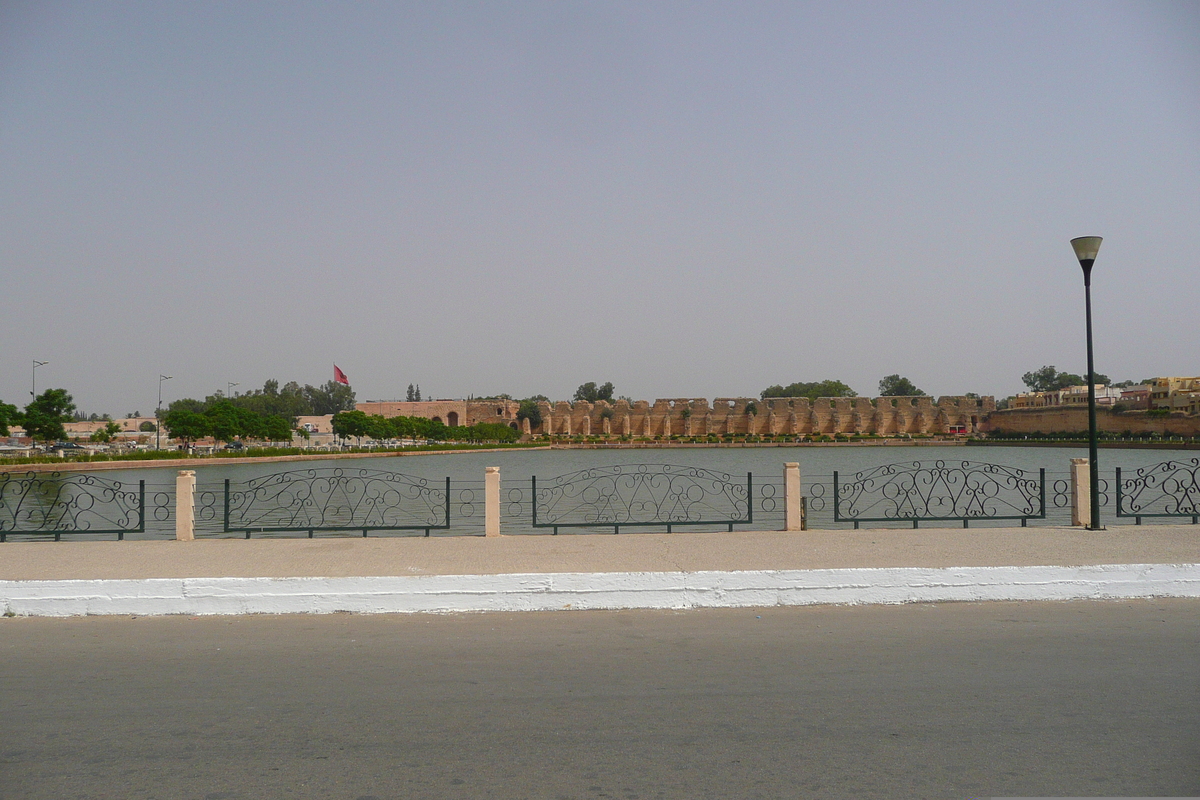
<point x="466" y="474"/>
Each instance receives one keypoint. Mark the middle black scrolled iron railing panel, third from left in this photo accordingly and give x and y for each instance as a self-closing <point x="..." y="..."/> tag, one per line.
<point x="640" y="496"/>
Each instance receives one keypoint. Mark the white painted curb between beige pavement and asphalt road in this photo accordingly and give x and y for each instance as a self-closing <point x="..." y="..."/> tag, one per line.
<point x="580" y="591"/>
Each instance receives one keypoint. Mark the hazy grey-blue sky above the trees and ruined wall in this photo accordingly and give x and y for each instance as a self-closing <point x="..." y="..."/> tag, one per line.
<point x="685" y="199"/>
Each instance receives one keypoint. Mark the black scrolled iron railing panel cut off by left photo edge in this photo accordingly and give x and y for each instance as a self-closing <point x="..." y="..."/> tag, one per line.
<point x="70" y="503"/>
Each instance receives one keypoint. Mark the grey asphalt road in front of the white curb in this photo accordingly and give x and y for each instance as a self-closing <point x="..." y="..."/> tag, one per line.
<point x="951" y="701"/>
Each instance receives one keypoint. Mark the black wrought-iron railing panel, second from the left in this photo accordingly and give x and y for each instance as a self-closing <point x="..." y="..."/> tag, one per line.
<point x="335" y="500"/>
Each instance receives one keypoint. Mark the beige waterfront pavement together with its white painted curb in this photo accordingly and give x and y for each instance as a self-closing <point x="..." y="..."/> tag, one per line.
<point x="683" y="570"/>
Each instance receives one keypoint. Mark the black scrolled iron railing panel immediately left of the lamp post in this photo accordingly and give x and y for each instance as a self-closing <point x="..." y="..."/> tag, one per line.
<point x="958" y="491"/>
